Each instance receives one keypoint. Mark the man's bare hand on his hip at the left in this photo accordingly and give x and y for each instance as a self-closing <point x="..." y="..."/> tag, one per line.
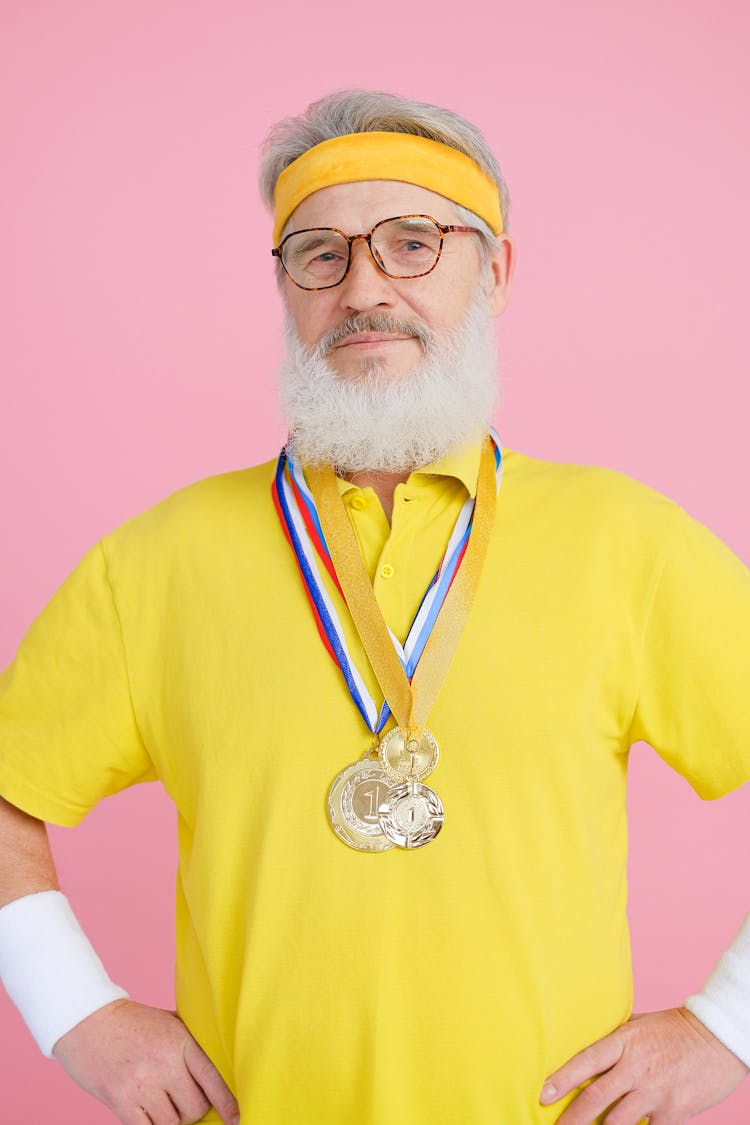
<point x="146" y="1066"/>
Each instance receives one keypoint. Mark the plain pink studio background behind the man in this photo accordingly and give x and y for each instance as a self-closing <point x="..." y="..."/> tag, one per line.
<point x="142" y="336"/>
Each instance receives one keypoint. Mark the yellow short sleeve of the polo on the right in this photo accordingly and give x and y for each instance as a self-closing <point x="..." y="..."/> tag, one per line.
<point x="694" y="697"/>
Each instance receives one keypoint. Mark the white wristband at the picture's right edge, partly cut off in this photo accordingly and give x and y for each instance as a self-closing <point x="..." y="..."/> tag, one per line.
<point x="724" y="1005"/>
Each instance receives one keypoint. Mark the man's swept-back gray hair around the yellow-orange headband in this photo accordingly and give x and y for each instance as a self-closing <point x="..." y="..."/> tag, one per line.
<point x="375" y="112"/>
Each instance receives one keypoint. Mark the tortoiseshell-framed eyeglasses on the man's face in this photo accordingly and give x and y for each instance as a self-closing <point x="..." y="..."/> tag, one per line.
<point x="404" y="247"/>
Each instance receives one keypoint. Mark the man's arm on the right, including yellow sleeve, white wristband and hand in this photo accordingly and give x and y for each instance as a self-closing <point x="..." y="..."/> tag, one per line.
<point x="692" y="709"/>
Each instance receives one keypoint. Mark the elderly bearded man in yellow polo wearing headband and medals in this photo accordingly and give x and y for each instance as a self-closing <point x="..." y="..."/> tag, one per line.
<point x="391" y="683"/>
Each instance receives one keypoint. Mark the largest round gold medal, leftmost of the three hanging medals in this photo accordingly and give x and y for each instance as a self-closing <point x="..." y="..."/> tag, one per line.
<point x="354" y="805"/>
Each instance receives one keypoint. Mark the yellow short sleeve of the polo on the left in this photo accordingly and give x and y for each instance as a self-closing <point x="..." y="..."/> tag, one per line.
<point x="68" y="732"/>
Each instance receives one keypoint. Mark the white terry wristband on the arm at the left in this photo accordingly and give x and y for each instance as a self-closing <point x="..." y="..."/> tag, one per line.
<point x="49" y="968"/>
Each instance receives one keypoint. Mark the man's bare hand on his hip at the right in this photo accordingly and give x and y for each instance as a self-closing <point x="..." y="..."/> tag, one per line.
<point x="665" y="1066"/>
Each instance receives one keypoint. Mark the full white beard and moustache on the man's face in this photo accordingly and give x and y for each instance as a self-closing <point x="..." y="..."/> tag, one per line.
<point x="387" y="424"/>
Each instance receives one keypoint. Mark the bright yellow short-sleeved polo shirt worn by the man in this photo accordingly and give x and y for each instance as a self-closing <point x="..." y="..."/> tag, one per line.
<point x="432" y="987"/>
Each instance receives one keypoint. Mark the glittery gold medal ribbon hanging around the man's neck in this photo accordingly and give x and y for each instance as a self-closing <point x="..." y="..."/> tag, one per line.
<point x="410" y="703"/>
